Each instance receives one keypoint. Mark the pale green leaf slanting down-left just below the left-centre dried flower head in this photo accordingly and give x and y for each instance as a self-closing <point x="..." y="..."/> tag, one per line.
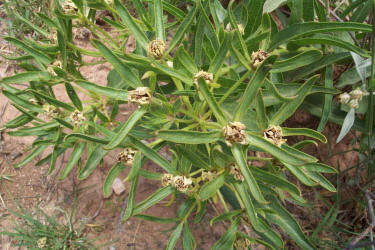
<point x="126" y="128"/>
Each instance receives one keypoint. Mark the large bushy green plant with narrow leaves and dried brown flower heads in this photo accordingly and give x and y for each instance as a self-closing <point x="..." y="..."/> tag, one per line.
<point x="213" y="84"/>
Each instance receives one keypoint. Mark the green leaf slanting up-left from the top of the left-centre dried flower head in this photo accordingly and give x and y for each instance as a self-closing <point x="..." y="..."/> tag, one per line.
<point x="125" y="72"/>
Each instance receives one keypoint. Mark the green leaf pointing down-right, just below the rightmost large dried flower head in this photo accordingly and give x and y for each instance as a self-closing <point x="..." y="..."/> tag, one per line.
<point x="274" y="150"/>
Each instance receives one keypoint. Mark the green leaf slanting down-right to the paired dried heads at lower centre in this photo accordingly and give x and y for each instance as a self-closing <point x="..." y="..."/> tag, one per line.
<point x="152" y="155"/>
